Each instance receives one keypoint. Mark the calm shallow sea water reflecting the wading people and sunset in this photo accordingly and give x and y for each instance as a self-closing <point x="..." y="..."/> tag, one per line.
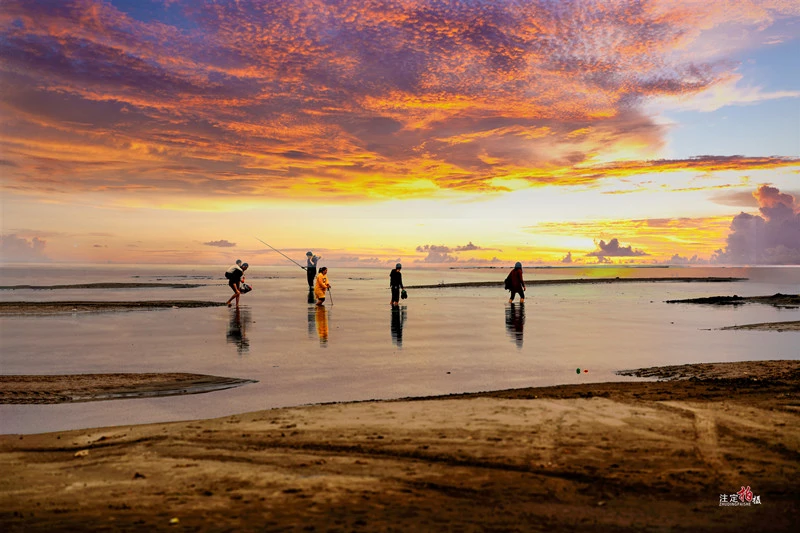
<point x="441" y="341"/>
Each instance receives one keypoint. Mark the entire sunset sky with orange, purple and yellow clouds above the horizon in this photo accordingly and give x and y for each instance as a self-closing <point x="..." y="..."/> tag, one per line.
<point x="434" y="132"/>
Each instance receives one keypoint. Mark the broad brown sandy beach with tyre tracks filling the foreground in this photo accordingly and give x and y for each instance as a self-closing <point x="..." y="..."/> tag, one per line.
<point x="632" y="456"/>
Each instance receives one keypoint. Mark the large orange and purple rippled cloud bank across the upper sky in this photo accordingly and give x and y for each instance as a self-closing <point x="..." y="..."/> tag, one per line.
<point x="348" y="100"/>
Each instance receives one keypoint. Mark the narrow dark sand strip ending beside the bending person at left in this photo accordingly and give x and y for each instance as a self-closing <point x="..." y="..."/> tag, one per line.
<point x="48" y="308"/>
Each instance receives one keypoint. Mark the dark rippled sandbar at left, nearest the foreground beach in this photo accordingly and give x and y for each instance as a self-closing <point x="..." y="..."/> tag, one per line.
<point x="93" y="387"/>
